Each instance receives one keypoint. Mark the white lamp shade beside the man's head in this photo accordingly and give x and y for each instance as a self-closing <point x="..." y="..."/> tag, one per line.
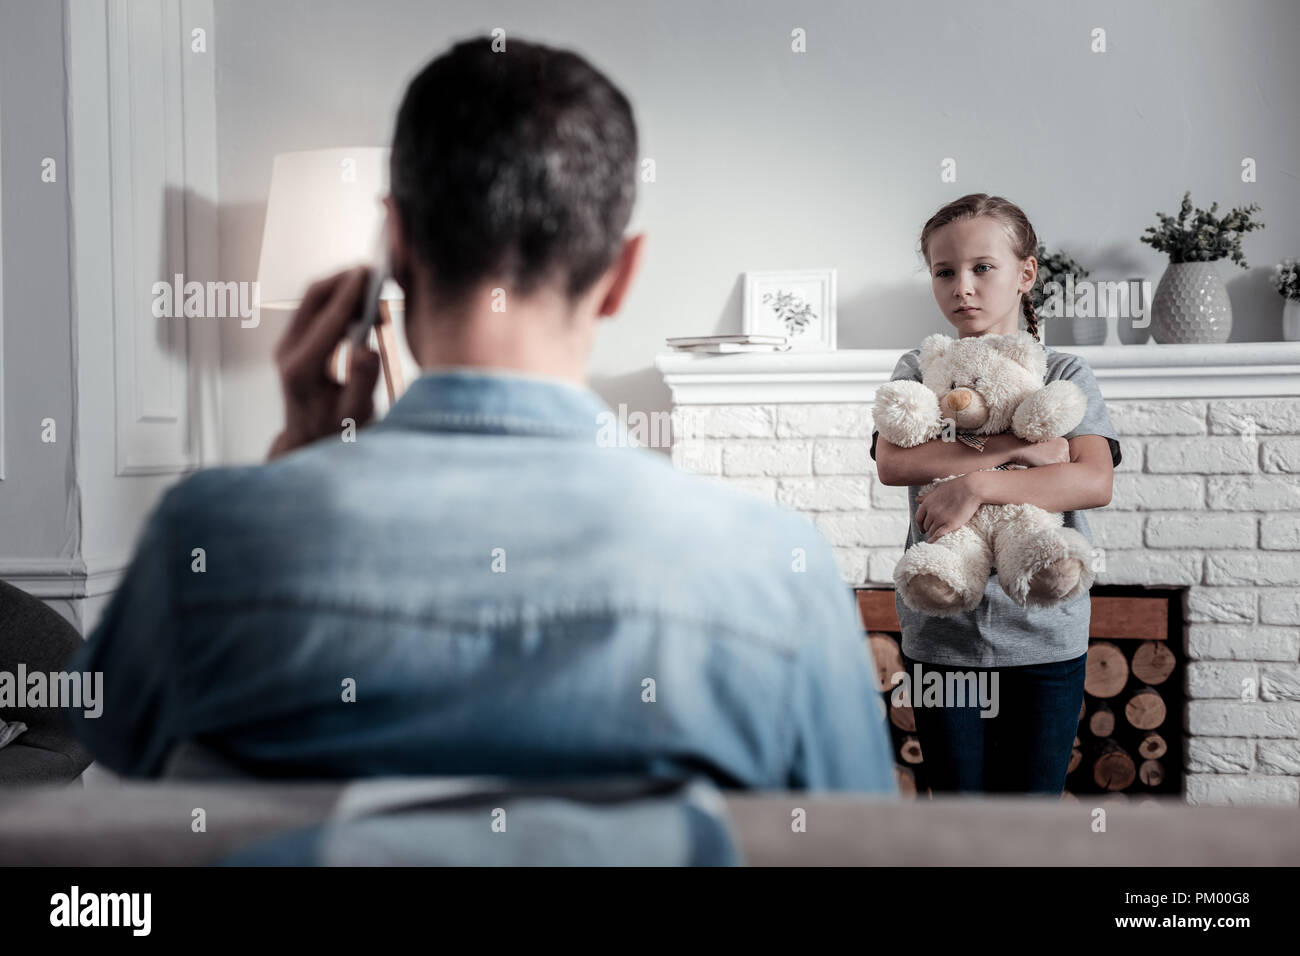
<point x="324" y="215"/>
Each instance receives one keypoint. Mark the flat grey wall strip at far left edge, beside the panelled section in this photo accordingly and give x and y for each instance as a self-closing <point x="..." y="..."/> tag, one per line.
<point x="40" y="508"/>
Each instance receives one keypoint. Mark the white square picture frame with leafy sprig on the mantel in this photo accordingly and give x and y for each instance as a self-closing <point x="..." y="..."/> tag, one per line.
<point x="798" y="304"/>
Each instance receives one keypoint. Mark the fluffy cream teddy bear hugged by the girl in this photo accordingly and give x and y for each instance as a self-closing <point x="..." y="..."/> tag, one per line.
<point x="986" y="386"/>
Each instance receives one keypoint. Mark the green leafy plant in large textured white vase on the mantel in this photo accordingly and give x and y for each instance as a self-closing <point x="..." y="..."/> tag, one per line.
<point x="1191" y="304"/>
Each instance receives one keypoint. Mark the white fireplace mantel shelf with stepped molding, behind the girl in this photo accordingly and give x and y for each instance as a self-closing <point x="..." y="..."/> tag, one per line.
<point x="852" y="375"/>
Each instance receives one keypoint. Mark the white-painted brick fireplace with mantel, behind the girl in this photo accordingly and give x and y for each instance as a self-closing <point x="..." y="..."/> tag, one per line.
<point x="1207" y="499"/>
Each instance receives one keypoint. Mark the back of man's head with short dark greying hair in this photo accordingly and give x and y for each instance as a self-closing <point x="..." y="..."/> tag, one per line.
<point x="518" y="166"/>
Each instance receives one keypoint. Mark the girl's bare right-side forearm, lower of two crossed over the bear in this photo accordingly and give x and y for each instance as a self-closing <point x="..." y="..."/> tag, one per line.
<point x="1081" y="485"/>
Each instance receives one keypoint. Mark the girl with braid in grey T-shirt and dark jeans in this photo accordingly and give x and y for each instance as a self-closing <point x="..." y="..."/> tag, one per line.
<point x="1029" y="663"/>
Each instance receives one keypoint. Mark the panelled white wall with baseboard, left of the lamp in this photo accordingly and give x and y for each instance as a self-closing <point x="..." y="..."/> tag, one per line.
<point x="114" y="94"/>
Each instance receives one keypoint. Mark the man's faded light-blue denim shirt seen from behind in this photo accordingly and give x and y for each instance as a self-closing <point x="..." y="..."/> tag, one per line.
<point x="489" y="581"/>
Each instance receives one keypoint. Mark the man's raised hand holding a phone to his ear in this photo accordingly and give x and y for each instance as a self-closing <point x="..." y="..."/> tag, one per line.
<point x="315" y="404"/>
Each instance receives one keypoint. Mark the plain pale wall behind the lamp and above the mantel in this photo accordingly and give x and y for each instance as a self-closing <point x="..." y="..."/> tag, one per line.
<point x="769" y="159"/>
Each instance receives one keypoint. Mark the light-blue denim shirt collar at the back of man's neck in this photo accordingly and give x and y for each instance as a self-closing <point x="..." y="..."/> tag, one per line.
<point x="489" y="401"/>
